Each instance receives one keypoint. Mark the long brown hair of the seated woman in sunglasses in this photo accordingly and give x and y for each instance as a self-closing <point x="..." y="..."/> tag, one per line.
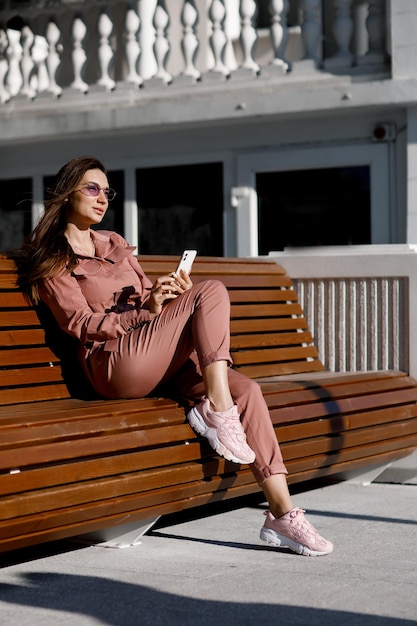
<point x="46" y="251"/>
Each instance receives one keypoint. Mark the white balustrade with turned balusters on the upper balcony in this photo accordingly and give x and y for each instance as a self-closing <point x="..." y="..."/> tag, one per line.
<point x="51" y="46"/>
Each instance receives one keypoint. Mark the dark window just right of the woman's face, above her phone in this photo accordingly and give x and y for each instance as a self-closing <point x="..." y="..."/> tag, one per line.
<point x="181" y="207"/>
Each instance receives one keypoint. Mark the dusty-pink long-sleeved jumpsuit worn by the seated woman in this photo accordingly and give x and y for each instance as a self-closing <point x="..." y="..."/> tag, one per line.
<point x="103" y="303"/>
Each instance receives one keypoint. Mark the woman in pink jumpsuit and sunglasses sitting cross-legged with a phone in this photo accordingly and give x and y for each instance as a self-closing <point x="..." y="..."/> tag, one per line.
<point x="136" y="338"/>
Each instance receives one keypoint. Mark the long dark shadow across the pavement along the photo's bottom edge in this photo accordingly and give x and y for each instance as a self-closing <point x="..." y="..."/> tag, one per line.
<point x="118" y="603"/>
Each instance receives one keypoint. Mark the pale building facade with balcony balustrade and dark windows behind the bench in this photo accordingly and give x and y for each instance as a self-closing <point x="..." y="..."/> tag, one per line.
<point x="238" y="127"/>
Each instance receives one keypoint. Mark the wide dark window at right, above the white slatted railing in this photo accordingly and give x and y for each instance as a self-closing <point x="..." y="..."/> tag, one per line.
<point x="314" y="208"/>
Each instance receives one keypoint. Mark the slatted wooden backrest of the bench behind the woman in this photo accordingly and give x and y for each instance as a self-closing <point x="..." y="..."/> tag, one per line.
<point x="268" y="329"/>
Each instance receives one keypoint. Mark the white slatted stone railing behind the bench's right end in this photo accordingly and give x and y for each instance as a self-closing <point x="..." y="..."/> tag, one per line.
<point x="360" y="302"/>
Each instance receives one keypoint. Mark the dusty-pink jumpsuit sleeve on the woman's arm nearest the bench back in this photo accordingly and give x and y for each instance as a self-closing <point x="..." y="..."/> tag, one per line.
<point x="63" y="295"/>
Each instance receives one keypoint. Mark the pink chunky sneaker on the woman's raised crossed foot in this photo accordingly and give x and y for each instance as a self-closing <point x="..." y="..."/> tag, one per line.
<point x="223" y="430"/>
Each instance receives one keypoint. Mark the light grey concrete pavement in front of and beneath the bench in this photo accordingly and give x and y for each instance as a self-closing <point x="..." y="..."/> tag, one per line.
<point x="215" y="570"/>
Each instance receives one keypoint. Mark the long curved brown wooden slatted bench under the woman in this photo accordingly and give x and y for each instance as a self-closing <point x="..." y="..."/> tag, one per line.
<point x="70" y="466"/>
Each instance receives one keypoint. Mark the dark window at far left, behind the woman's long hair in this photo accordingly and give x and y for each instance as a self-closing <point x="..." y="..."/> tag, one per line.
<point x="15" y="212"/>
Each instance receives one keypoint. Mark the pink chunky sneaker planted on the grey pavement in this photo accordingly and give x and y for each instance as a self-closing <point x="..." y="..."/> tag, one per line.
<point x="293" y="531"/>
